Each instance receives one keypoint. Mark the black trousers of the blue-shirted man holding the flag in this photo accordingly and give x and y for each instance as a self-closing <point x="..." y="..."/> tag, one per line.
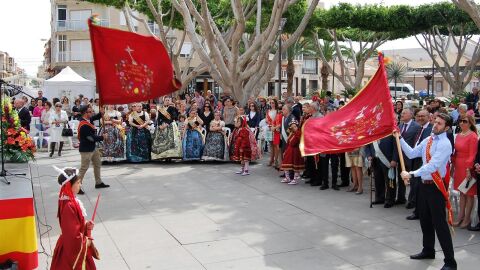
<point x="432" y="212"/>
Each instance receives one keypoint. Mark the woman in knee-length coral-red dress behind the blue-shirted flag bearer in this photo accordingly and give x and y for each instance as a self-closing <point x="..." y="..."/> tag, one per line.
<point x="465" y="150"/>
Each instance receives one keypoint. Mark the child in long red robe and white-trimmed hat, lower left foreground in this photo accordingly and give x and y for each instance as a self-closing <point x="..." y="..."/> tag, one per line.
<point x="74" y="249"/>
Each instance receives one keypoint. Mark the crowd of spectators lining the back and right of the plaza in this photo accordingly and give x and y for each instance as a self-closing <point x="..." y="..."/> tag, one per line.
<point x="206" y="127"/>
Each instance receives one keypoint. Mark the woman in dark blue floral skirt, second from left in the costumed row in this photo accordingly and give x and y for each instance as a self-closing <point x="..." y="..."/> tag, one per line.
<point x="138" y="138"/>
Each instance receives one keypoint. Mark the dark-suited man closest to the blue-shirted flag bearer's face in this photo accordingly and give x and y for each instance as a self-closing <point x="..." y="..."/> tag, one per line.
<point x="425" y="130"/>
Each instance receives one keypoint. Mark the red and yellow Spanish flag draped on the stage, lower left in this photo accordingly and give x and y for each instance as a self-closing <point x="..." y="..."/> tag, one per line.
<point x="18" y="238"/>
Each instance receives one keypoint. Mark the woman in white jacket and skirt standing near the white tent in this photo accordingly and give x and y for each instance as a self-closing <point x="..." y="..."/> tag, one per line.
<point x="58" y="120"/>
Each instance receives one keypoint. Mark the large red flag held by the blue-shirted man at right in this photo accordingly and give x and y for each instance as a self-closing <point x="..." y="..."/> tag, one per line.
<point x="369" y="116"/>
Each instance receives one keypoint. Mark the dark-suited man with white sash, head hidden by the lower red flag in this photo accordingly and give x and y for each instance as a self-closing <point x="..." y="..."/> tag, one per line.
<point x="384" y="155"/>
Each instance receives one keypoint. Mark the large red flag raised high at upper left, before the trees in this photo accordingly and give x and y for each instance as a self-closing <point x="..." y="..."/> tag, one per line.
<point x="130" y="67"/>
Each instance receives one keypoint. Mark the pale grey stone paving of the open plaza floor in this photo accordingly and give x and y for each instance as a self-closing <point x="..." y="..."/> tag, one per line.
<point x="192" y="216"/>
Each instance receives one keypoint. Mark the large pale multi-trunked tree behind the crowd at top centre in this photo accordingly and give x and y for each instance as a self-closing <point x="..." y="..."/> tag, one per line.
<point x="238" y="59"/>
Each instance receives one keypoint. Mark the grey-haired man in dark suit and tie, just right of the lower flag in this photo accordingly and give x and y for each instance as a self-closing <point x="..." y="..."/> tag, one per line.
<point x="408" y="130"/>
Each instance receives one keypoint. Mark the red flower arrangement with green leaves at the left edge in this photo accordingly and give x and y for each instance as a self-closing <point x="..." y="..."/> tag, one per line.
<point x="18" y="146"/>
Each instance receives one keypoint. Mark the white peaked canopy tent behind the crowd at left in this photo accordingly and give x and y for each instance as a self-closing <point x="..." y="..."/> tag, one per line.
<point x="68" y="83"/>
